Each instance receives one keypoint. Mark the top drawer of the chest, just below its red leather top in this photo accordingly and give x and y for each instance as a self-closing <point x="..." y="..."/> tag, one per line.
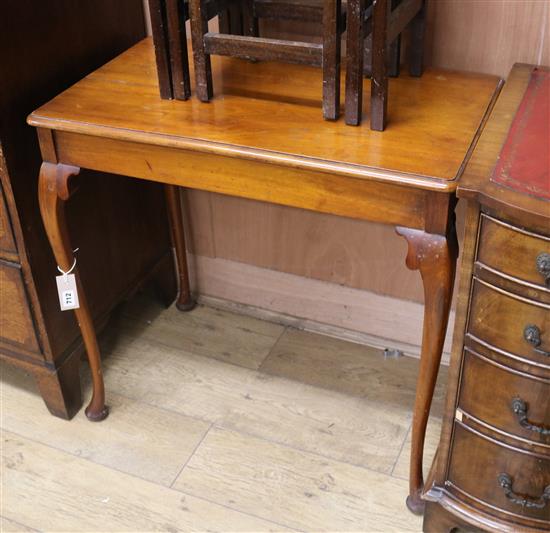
<point x="524" y="252"/>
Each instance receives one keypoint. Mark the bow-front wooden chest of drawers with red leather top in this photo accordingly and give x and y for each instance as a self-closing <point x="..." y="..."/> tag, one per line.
<point x="492" y="470"/>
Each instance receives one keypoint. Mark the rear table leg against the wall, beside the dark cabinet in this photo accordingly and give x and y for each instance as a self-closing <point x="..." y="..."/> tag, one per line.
<point x="185" y="301"/>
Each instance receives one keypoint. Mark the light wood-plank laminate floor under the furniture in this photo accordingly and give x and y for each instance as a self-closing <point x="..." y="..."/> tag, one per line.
<point x="219" y="422"/>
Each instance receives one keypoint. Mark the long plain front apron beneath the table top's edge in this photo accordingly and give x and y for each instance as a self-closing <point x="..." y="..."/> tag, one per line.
<point x="319" y="191"/>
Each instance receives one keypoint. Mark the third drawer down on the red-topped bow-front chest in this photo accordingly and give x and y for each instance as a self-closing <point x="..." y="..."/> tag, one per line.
<point x="509" y="401"/>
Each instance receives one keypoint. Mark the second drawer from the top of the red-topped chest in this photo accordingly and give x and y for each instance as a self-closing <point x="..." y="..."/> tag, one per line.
<point x="518" y="326"/>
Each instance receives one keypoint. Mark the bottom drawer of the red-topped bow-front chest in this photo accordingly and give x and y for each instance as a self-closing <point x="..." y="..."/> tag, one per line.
<point x="475" y="469"/>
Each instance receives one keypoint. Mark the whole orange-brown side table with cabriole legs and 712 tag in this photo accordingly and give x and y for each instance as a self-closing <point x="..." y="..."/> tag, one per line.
<point x="269" y="145"/>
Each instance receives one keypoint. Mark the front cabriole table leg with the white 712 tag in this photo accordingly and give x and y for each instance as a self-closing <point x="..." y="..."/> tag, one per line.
<point x="54" y="189"/>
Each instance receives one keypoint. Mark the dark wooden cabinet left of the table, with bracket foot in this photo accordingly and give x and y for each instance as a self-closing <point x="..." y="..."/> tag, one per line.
<point x="45" y="47"/>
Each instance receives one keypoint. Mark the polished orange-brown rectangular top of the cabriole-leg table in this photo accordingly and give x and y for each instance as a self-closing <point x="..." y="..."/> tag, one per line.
<point x="272" y="111"/>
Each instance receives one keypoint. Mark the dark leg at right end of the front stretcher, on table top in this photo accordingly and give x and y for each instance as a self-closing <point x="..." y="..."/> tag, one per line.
<point x="331" y="58"/>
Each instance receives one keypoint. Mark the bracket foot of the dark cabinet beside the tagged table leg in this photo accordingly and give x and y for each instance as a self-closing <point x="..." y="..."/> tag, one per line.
<point x="60" y="389"/>
